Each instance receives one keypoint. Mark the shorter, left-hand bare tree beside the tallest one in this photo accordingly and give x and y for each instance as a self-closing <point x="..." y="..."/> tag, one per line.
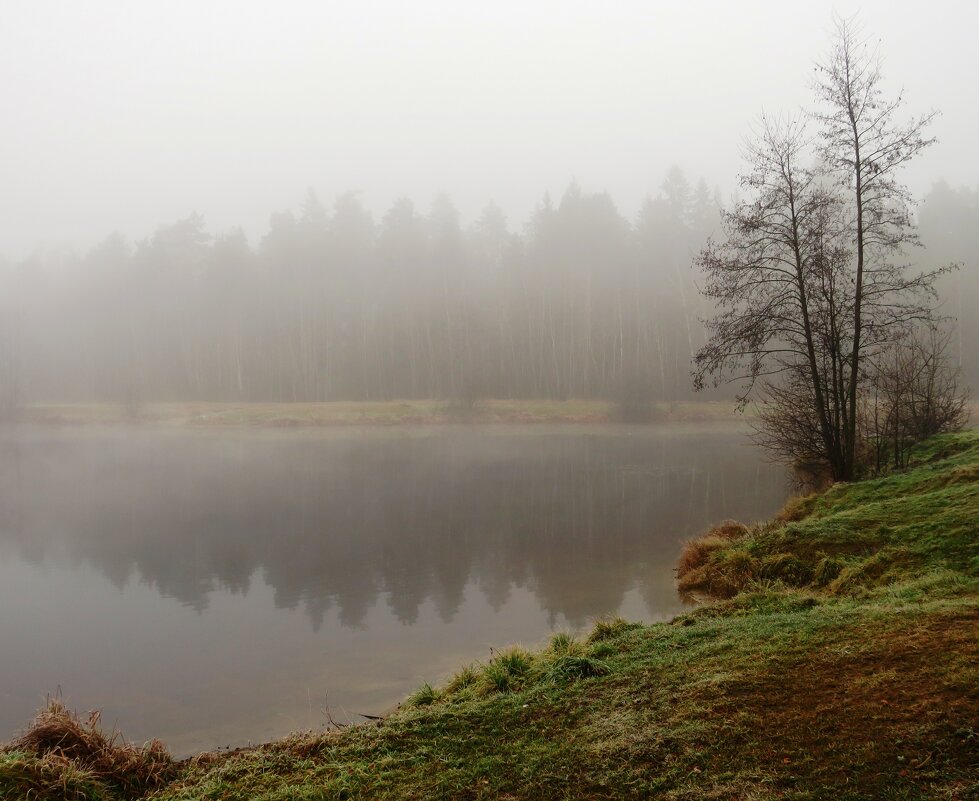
<point x="781" y="299"/>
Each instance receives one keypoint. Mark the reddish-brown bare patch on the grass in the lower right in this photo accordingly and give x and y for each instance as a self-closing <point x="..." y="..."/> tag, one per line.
<point x="899" y="709"/>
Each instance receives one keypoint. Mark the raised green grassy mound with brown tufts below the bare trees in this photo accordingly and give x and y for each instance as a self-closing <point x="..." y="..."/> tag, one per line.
<point x="855" y="537"/>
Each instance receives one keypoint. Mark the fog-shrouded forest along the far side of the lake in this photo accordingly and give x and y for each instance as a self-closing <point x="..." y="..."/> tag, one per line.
<point x="331" y="304"/>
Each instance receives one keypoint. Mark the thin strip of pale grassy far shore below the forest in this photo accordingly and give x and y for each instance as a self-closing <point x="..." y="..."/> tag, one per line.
<point x="340" y="413"/>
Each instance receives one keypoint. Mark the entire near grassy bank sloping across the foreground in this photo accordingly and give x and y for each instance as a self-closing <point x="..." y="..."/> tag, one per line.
<point x="839" y="659"/>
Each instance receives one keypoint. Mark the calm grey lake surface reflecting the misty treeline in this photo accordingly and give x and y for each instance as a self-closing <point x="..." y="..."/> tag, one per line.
<point x="213" y="589"/>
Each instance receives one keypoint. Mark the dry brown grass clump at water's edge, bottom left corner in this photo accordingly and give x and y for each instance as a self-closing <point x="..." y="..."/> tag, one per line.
<point x="58" y="734"/>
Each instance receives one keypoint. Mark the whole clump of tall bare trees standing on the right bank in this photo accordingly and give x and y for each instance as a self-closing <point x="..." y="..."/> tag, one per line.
<point x="811" y="280"/>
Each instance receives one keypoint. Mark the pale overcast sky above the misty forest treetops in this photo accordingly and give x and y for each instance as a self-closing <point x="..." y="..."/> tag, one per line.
<point x="125" y="115"/>
